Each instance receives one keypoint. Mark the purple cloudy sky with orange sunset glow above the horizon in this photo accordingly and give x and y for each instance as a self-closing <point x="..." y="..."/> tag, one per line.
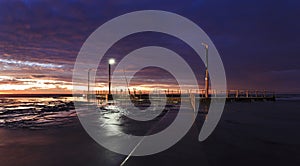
<point x="257" y="40"/>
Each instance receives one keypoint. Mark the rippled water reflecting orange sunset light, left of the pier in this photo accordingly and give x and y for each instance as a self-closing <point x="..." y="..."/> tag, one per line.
<point x="36" y="112"/>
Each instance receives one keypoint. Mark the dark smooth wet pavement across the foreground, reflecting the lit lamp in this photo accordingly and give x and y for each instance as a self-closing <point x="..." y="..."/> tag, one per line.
<point x="262" y="133"/>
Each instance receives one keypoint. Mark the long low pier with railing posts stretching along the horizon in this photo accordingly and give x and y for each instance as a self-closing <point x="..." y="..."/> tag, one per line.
<point x="194" y="94"/>
